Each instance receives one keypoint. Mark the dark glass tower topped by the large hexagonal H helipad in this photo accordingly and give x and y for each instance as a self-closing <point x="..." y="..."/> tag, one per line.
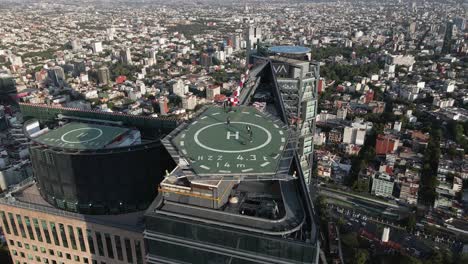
<point x="237" y="194"/>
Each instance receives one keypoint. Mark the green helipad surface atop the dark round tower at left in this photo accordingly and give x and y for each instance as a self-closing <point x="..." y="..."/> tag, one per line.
<point x="81" y="136"/>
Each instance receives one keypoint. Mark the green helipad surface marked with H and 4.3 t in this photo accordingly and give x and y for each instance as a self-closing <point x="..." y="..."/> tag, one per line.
<point x="212" y="147"/>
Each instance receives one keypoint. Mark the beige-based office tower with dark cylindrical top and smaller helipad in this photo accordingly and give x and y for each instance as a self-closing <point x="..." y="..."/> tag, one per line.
<point x="92" y="183"/>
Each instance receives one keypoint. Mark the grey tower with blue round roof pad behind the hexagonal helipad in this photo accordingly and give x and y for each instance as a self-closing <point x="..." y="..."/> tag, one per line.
<point x="297" y="80"/>
